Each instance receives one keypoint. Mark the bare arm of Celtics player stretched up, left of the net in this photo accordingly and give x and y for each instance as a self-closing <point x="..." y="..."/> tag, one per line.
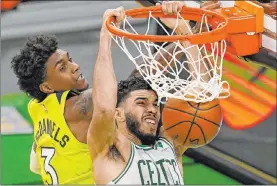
<point x="101" y="132"/>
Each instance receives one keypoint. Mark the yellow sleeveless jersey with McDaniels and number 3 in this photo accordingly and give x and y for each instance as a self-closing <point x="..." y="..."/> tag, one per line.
<point x="63" y="159"/>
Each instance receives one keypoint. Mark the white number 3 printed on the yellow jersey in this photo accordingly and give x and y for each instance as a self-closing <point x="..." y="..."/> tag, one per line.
<point x="48" y="153"/>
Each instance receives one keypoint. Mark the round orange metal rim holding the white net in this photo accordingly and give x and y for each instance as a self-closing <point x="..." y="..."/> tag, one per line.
<point x="187" y="13"/>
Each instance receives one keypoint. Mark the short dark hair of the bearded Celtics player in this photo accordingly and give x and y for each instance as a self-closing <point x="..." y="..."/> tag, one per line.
<point x="129" y="85"/>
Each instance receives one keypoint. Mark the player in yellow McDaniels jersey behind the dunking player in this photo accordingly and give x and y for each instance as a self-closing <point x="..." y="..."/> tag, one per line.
<point x="61" y="110"/>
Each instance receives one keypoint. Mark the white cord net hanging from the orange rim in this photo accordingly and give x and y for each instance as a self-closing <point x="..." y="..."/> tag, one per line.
<point x="166" y="79"/>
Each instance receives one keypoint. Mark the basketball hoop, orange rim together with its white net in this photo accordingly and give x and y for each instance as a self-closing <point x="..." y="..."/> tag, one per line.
<point x="165" y="79"/>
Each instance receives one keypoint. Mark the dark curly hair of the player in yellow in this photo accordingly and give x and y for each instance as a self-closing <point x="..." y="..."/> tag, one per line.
<point x="30" y="64"/>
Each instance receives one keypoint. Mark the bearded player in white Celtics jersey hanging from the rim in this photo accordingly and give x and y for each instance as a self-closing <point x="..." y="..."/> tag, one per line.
<point x="122" y="137"/>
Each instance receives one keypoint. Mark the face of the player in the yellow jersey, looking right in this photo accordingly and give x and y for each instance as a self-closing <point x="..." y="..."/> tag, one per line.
<point x="63" y="73"/>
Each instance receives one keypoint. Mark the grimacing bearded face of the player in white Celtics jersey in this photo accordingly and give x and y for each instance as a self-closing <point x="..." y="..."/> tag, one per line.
<point x="143" y="115"/>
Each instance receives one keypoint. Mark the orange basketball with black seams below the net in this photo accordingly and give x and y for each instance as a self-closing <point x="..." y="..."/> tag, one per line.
<point x="193" y="124"/>
